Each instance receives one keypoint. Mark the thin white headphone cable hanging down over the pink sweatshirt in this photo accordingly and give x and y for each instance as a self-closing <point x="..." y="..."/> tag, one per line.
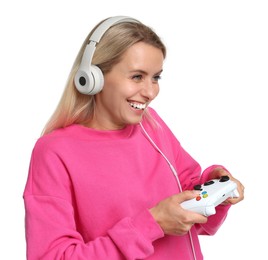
<point x="175" y="175"/>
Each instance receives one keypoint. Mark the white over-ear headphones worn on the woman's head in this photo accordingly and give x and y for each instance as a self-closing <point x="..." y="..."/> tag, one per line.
<point x="89" y="78"/>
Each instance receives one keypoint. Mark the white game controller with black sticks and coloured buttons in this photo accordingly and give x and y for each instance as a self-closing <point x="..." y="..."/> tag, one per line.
<point x="212" y="193"/>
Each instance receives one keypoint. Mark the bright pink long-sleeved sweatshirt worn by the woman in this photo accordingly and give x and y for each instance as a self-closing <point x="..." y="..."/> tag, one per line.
<point x="88" y="193"/>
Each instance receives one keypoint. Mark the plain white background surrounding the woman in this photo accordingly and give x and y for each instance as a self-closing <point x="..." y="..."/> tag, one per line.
<point x="213" y="96"/>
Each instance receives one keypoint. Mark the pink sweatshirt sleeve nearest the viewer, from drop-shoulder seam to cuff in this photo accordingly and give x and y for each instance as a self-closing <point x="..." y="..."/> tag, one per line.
<point x="51" y="234"/>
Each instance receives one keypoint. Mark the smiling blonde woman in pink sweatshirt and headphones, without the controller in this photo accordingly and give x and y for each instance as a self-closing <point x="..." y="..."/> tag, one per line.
<point x="107" y="176"/>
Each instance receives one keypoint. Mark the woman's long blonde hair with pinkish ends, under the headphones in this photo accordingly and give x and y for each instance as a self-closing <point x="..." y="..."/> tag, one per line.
<point x="75" y="107"/>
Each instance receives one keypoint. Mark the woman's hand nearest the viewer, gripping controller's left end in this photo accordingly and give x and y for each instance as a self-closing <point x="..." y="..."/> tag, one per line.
<point x="172" y="218"/>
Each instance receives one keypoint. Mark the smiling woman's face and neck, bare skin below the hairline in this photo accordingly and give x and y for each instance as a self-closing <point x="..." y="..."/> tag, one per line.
<point x="128" y="88"/>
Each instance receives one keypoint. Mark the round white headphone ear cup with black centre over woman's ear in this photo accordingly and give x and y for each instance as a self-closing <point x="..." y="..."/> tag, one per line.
<point x="89" y="82"/>
